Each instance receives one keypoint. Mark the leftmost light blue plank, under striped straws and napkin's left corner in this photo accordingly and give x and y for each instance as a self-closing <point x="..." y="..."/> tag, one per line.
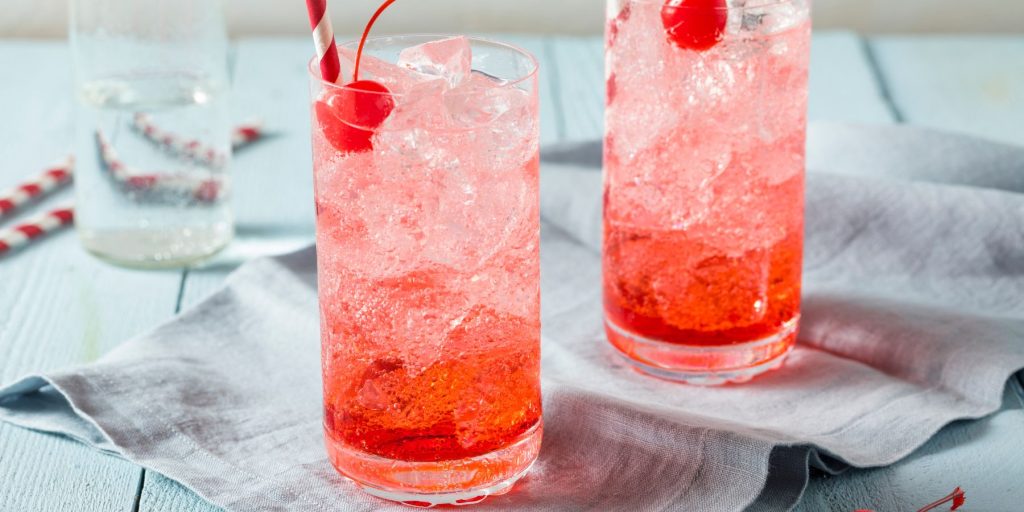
<point x="60" y="307"/>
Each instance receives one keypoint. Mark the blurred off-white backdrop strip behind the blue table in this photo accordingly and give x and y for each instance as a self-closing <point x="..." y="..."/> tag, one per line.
<point x="49" y="18"/>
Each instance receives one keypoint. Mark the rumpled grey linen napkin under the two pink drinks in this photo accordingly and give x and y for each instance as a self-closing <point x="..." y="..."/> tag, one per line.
<point x="914" y="318"/>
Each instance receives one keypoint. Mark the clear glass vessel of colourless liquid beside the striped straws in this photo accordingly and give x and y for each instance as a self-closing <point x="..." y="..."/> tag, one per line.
<point x="153" y="140"/>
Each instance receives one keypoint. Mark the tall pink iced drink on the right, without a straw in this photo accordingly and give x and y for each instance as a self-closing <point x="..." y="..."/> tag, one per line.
<point x="707" y="105"/>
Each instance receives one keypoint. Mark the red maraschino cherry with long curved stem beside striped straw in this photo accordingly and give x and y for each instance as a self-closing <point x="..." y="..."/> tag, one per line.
<point x="350" y="115"/>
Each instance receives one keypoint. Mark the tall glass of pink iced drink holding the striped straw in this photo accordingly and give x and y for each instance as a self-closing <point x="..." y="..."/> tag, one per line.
<point x="428" y="242"/>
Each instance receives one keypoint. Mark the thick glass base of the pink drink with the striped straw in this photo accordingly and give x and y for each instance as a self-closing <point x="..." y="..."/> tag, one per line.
<point x="426" y="485"/>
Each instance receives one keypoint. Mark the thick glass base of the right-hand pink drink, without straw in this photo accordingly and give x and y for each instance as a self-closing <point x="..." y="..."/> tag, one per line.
<point x="702" y="365"/>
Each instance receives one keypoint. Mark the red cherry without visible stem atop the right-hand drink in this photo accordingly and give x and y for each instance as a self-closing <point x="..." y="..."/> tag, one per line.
<point x="695" y="25"/>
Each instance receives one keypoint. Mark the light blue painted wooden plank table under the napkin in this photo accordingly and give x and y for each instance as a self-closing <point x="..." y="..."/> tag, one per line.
<point x="59" y="307"/>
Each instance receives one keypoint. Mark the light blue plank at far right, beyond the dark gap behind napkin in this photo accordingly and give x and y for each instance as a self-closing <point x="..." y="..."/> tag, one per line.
<point x="973" y="86"/>
